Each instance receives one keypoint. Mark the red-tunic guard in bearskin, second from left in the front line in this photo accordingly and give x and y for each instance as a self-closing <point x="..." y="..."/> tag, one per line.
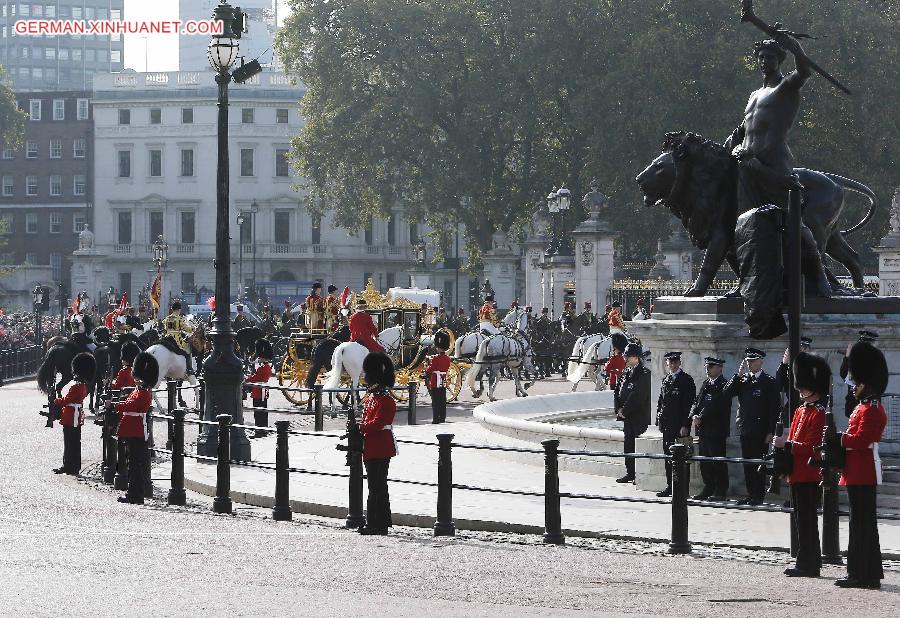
<point x="133" y="429"/>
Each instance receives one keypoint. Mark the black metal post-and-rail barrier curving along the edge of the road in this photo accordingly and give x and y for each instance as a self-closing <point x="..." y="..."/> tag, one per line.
<point x="114" y="469"/>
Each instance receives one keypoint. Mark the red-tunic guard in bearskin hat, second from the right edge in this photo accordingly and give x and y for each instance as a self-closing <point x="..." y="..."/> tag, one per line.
<point x="812" y="377"/>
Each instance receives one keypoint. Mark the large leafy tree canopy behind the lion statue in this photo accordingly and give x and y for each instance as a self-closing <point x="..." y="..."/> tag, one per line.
<point x="472" y="110"/>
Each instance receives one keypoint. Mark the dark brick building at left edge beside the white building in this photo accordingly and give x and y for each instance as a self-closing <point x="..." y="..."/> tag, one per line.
<point x="46" y="183"/>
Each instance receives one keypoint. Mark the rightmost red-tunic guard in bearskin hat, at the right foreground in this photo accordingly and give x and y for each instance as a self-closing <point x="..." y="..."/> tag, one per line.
<point x="861" y="471"/>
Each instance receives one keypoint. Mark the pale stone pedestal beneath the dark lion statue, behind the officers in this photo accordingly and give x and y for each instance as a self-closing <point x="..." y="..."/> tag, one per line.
<point x="714" y="326"/>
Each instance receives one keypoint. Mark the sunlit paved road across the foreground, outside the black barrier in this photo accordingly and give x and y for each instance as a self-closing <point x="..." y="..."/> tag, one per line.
<point x="68" y="548"/>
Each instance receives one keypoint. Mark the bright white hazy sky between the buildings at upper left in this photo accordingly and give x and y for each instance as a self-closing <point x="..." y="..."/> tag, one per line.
<point x="159" y="51"/>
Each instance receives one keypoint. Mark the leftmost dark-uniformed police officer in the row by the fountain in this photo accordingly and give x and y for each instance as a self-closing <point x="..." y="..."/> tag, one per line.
<point x="633" y="396"/>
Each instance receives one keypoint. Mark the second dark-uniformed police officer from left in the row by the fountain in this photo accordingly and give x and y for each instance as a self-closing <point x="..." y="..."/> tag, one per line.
<point x="673" y="409"/>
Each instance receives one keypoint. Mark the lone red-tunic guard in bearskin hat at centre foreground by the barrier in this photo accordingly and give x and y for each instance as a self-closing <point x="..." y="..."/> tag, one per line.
<point x="376" y="426"/>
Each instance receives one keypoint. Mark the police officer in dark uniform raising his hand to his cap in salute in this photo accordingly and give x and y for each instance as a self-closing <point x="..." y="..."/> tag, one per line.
<point x="759" y="403"/>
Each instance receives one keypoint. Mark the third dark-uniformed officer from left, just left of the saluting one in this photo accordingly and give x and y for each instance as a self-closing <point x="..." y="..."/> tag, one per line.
<point x="711" y="416"/>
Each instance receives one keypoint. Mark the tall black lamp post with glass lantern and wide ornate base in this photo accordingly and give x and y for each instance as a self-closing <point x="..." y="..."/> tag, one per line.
<point x="222" y="369"/>
